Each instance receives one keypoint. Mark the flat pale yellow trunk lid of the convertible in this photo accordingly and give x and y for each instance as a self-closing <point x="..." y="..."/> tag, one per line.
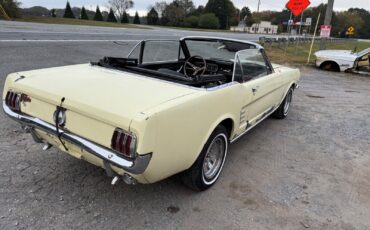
<point x="111" y="96"/>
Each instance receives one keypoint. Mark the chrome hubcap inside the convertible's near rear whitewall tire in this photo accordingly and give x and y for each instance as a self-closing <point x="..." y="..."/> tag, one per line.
<point x="214" y="158"/>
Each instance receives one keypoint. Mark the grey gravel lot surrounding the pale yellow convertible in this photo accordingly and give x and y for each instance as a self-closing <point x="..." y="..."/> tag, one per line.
<point x="310" y="171"/>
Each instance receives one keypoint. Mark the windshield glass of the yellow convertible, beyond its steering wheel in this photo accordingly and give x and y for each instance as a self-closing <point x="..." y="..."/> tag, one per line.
<point x="216" y="49"/>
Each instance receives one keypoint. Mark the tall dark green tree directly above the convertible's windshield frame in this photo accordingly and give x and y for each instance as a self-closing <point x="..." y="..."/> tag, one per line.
<point x="224" y="11"/>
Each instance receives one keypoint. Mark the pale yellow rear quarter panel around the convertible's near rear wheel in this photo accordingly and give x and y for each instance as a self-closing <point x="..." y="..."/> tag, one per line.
<point x="182" y="127"/>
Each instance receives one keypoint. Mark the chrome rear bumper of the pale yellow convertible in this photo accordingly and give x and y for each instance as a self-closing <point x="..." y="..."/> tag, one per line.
<point x="135" y="166"/>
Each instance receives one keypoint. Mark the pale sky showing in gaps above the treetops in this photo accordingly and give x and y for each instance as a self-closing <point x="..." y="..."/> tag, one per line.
<point x="142" y="5"/>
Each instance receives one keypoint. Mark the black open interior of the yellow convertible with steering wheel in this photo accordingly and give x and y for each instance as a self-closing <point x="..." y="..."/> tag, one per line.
<point x="196" y="71"/>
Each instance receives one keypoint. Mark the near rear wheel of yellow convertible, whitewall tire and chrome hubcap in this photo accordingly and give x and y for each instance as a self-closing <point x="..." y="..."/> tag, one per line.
<point x="207" y="168"/>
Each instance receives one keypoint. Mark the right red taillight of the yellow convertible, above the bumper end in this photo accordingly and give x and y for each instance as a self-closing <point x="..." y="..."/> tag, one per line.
<point x="124" y="143"/>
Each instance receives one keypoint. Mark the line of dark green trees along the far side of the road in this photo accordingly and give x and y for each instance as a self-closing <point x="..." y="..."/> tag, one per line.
<point x="216" y="14"/>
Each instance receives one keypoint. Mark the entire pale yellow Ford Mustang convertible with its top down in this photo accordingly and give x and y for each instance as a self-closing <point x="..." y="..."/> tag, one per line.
<point x="170" y="107"/>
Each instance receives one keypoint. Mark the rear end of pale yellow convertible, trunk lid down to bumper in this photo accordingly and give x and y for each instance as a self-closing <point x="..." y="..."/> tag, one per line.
<point x="95" y="122"/>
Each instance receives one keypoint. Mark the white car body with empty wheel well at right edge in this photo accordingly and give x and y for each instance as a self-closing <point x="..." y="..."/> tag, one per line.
<point x="343" y="60"/>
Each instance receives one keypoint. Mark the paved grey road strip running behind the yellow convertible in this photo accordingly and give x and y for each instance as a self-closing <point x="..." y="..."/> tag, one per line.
<point x="35" y="31"/>
